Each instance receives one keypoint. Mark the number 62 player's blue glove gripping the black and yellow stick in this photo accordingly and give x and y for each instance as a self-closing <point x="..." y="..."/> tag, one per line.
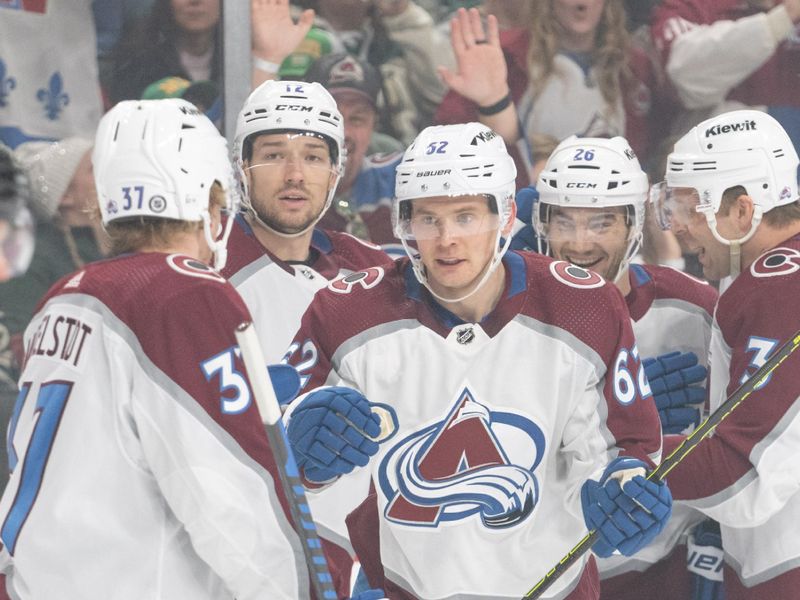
<point x="627" y="516"/>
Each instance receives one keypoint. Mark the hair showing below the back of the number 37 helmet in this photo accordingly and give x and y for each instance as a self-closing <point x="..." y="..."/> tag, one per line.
<point x="131" y="235"/>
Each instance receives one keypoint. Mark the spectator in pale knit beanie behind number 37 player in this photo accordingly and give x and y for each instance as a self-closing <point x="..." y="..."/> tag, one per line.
<point x="63" y="199"/>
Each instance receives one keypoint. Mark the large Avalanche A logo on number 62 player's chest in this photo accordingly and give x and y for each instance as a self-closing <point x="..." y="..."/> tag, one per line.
<point x="459" y="467"/>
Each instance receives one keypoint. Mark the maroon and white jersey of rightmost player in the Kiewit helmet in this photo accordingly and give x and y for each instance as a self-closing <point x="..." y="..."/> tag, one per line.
<point x="746" y="476"/>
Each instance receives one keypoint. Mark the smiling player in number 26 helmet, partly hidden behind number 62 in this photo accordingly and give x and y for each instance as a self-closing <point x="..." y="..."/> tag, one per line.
<point x="591" y="211"/>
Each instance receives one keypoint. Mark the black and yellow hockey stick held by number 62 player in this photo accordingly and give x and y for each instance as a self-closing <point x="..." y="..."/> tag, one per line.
<point x="676" y="456"/>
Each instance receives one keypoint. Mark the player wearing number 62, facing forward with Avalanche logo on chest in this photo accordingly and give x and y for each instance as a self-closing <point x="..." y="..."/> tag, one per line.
<point x="495" y="397"/>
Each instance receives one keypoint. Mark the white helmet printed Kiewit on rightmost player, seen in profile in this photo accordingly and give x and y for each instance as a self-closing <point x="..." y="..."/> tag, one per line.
<point x="746" y="148"/>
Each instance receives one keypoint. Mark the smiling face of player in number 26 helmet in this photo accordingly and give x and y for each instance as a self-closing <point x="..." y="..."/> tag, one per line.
<point x="592" y="238"/>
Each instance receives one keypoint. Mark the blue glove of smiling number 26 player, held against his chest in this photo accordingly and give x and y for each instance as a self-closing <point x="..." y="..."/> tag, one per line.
<point x="671" y="378"/>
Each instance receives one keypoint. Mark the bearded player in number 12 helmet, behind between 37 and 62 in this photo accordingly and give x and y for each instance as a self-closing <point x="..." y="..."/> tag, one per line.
<point x="289" y="151"/>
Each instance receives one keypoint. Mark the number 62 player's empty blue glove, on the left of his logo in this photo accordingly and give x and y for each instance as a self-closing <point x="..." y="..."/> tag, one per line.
<point x="330" y="433"/>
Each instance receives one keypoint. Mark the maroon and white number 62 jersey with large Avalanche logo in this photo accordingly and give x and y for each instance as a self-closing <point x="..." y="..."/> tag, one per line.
<point x="498" y="423"/>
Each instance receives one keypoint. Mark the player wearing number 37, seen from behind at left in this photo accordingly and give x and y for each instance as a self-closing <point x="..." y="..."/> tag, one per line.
<point x="140" y="467"/>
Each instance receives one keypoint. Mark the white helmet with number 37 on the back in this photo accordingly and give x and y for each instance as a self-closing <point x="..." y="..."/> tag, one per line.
<point x="159" y="159"/>
